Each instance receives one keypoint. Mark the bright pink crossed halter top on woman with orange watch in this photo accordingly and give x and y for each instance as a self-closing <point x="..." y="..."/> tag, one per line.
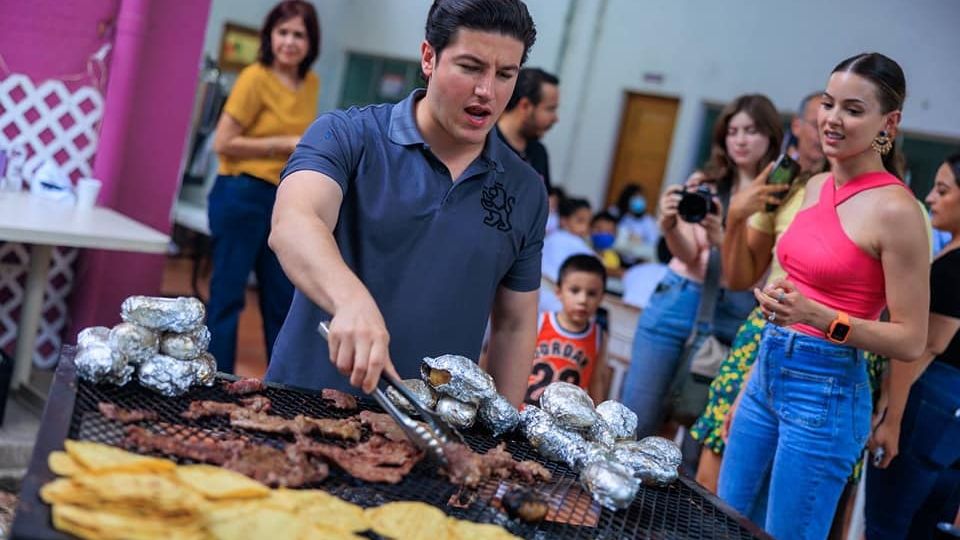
<point x="825" y="264"/>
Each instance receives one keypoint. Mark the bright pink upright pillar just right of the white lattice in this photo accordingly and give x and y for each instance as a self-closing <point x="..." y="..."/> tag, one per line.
<point x="148" y="107"/>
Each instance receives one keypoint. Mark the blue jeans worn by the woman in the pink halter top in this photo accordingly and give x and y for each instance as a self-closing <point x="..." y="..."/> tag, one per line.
<point x="803" y="421"/>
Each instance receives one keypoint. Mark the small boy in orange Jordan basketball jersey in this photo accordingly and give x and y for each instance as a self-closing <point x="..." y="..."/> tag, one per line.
<point x="571" y="346"/>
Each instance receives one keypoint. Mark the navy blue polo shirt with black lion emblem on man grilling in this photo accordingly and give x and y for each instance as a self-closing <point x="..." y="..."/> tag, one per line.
<point x="431" y="251"/>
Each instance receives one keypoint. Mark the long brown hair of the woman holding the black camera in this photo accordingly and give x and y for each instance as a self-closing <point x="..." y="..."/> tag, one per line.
<point x="720" y="167"/>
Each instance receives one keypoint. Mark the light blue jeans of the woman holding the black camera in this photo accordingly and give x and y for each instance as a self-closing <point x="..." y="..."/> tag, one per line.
<point x="662" y="331"/>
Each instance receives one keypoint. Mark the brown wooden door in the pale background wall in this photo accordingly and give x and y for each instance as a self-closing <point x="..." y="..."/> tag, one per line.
<point x="643" y="147"/>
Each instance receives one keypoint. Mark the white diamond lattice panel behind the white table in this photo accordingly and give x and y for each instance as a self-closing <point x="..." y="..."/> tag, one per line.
<point x="51" y="122"/>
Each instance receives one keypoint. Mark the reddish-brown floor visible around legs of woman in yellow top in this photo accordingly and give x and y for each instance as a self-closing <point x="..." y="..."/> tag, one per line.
<point x="251" y="350"/>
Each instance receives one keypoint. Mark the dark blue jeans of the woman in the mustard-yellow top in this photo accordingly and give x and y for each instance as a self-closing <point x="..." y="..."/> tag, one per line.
<point x="240" y="208"/>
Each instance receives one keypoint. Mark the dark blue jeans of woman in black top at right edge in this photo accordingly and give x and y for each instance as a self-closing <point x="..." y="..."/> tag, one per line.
<point x="919" y="488"/>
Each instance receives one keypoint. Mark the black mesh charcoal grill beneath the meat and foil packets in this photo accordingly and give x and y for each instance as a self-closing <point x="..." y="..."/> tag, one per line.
<point x="682" y="510"/>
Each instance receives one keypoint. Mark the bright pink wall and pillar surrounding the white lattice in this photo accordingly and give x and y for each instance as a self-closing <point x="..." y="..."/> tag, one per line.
<point x="153" y="70"/>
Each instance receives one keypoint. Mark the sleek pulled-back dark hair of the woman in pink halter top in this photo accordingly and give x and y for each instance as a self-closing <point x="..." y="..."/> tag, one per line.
<point x="887" y="76"/>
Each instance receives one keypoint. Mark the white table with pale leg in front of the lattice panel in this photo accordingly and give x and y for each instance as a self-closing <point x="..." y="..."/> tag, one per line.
<point x="42" y="224"/>
